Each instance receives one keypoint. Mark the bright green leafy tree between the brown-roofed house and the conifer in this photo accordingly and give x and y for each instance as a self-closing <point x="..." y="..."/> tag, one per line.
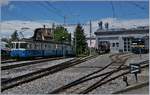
<point x="61" y="34"/>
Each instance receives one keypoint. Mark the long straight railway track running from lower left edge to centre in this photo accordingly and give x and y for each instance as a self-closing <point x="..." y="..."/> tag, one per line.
<point x="7" y="84"/>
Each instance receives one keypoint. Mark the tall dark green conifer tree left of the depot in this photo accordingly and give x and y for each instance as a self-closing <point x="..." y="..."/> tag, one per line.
<point x="80" y="40"/>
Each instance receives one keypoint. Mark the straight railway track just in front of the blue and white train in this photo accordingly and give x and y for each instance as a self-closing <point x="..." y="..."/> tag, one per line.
<point x="17" y="64"/>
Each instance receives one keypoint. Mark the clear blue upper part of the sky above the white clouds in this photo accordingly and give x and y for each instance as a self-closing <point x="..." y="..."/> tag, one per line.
<point x="76" y="11"/>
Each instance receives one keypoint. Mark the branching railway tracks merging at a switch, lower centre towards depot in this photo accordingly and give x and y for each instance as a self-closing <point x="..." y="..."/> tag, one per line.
<point x="120" y="59"/>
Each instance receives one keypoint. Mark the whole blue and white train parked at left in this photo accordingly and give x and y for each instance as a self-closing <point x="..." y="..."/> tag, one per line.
<point x="31" y="49"/>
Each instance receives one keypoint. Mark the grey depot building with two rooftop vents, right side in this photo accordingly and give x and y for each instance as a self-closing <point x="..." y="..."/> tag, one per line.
<point x="120" y="40"/>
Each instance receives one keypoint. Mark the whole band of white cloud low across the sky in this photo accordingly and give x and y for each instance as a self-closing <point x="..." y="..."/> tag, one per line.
<point x="8" y="27"/>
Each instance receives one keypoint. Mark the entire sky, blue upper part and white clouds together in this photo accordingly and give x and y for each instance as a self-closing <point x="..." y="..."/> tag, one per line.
<point x="33" y="14"/>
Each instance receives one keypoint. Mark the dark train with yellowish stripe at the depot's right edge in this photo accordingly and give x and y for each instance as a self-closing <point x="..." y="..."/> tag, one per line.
<point x="140" y="45"/>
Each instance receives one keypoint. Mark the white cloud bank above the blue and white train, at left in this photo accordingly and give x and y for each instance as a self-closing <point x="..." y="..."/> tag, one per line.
<point x="8" y="27"/>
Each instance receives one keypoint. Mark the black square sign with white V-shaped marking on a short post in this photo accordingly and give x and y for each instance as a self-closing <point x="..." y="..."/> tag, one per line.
<point x="135" y="69"/>
